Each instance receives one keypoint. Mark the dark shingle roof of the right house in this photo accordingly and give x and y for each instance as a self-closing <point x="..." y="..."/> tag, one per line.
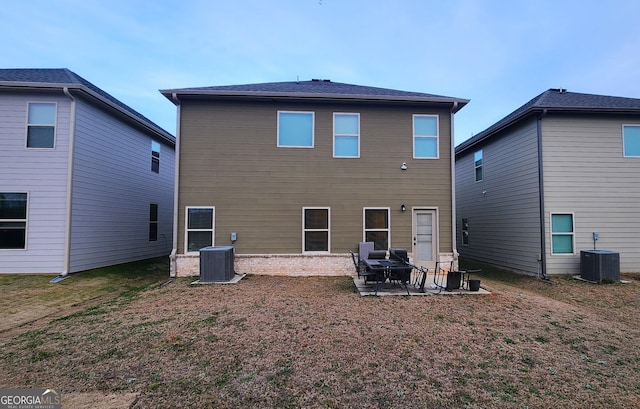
<point x="558" y="100"/>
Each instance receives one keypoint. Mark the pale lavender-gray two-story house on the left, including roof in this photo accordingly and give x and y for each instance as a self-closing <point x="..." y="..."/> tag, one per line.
<point x="85" y="181"/>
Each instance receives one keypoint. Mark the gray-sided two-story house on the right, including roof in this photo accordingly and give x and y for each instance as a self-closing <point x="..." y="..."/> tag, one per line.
<point x="533" y="188"/>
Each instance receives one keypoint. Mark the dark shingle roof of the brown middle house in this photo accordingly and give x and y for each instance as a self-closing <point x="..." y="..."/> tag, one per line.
<point x="313" y="89"/>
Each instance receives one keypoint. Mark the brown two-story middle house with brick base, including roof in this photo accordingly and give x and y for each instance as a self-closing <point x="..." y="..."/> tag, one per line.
<point x="296" y="174"/>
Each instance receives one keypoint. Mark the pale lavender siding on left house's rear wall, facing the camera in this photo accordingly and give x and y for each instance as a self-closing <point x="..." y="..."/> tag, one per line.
<point x="42" y="173"/>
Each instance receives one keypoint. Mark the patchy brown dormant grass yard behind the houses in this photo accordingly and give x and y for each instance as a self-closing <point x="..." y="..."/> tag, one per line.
<point x="284" y="342"/>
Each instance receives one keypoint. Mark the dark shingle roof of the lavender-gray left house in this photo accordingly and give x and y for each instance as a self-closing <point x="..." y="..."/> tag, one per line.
<point x="63" y="77"/>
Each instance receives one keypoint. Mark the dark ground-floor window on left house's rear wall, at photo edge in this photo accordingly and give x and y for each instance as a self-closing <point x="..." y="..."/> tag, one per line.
<point x="13" y="220"/>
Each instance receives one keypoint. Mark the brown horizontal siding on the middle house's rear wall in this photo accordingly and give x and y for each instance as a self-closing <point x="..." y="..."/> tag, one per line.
<point x="229" y="160"/>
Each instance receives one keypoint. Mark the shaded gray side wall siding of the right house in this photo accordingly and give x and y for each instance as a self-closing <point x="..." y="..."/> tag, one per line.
<point x="503" y="209"/>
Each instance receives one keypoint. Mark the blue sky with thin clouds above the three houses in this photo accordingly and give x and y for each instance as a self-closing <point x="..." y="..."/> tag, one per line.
<point x="498" y="54"/>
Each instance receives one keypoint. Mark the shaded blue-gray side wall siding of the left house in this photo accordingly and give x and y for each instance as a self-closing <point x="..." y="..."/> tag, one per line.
<point x="113" y="186"/>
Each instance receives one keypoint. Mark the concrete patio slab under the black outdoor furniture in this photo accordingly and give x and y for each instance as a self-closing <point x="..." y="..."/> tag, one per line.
<point x="430" y="288"/>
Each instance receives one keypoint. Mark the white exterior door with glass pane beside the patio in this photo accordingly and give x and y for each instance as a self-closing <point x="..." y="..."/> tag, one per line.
<point x="425" y="237"/>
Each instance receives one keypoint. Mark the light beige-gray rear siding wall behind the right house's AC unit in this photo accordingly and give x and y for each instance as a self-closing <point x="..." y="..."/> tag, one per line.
<point x="586" y="174"/>
